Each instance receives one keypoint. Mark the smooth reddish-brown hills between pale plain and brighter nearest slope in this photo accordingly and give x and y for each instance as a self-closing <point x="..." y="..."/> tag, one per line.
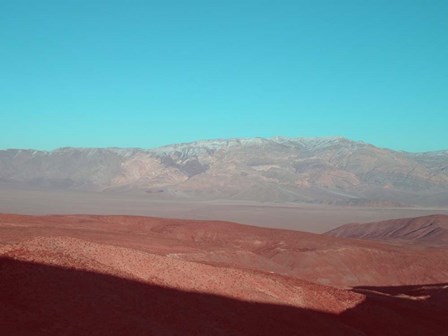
<point x="317" y="258"/>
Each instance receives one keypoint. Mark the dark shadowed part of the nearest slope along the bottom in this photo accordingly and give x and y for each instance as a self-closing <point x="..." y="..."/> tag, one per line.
<point x="48" y="300"/>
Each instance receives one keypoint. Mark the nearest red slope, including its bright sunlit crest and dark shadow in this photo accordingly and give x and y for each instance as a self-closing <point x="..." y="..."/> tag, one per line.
<point x="61" y="285"/>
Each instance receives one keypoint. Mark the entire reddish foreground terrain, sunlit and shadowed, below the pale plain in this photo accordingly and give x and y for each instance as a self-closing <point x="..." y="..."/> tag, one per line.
<point x="121" y="275"/>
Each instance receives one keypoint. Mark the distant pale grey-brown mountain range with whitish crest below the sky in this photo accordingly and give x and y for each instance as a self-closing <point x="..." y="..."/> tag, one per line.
<point x="316" y="170"/>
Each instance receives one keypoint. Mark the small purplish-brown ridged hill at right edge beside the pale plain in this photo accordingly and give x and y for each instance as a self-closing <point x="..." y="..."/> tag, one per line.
<point x="429" y="230"/>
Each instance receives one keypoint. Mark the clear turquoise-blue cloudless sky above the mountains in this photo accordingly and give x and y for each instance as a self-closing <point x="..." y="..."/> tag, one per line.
<point x="148" y="73"/>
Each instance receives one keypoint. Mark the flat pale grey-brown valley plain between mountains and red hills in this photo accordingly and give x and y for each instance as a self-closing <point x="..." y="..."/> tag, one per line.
<point x="302" y="217"/>
